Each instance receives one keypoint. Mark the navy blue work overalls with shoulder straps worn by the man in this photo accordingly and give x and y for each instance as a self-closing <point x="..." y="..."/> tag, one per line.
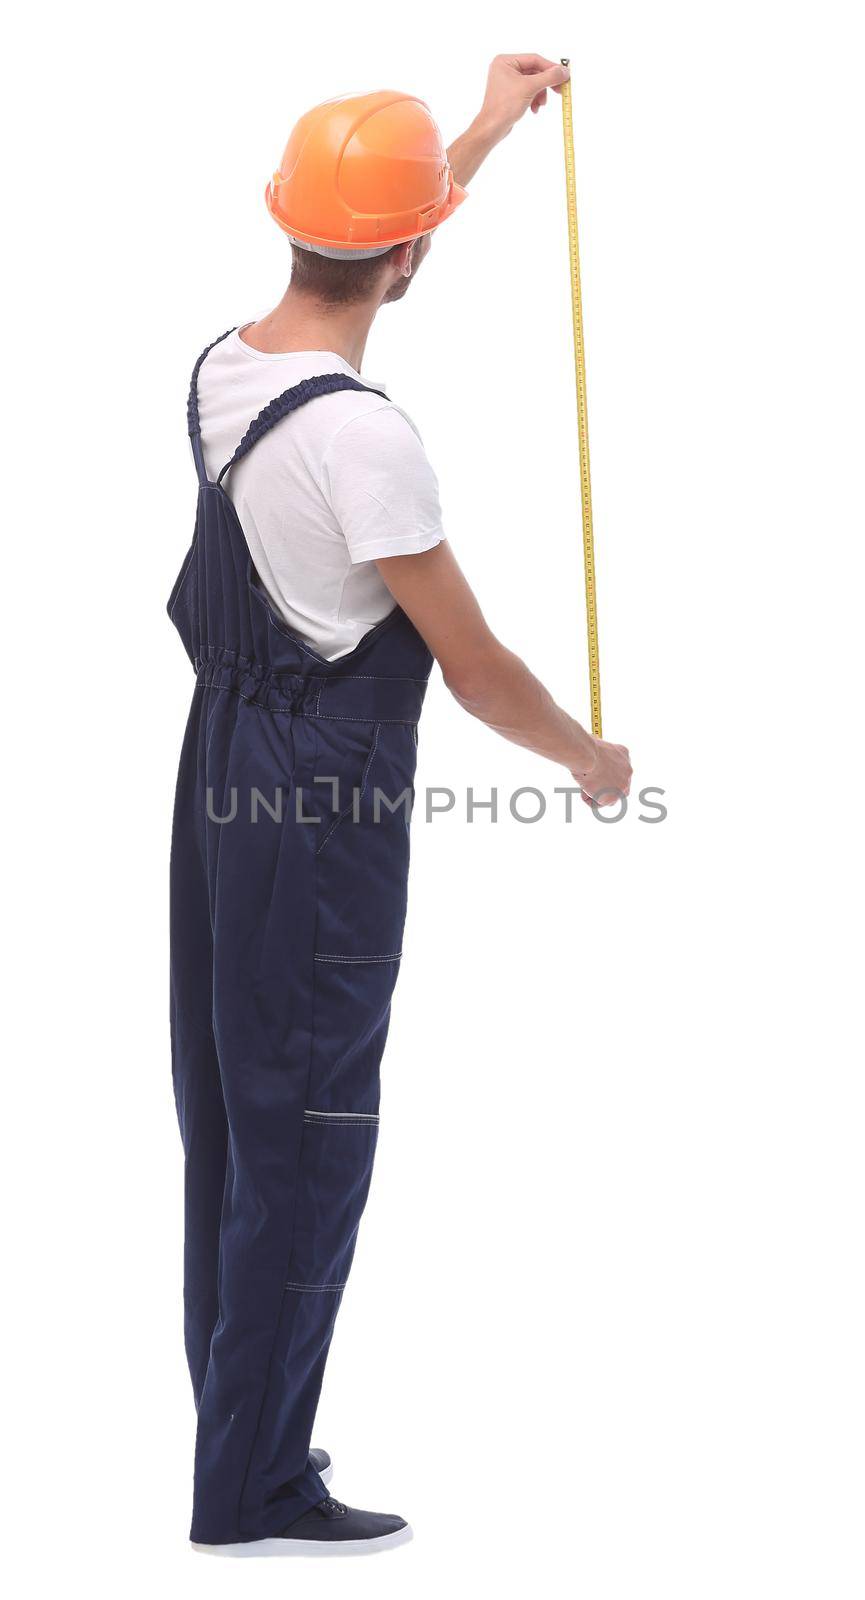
<point x="289" y="895"/>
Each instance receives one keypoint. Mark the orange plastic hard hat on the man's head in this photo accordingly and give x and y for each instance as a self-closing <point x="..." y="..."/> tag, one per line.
<point x="364" y="174"/>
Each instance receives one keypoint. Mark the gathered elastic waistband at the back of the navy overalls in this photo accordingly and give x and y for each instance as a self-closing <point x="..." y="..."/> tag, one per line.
<point x="329" y="695"/>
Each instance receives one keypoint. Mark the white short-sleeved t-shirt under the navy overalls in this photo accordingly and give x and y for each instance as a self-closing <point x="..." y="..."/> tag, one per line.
<point x="327" y="492"/>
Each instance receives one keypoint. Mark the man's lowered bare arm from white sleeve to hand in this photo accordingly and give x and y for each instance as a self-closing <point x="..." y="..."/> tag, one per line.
<point x="490" y="681"/>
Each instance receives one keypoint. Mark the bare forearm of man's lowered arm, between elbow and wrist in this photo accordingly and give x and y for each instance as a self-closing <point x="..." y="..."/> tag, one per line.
<point x="500" y="690"/>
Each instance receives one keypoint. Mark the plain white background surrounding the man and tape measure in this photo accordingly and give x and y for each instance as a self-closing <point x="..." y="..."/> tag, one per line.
<point x="605" y="1329"/>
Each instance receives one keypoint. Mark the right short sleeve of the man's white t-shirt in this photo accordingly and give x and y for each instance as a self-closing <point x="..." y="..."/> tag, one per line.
<point x="381" y="487"/>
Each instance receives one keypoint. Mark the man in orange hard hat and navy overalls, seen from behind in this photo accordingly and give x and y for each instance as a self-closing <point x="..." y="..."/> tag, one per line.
<point x="316" y="596"/>
